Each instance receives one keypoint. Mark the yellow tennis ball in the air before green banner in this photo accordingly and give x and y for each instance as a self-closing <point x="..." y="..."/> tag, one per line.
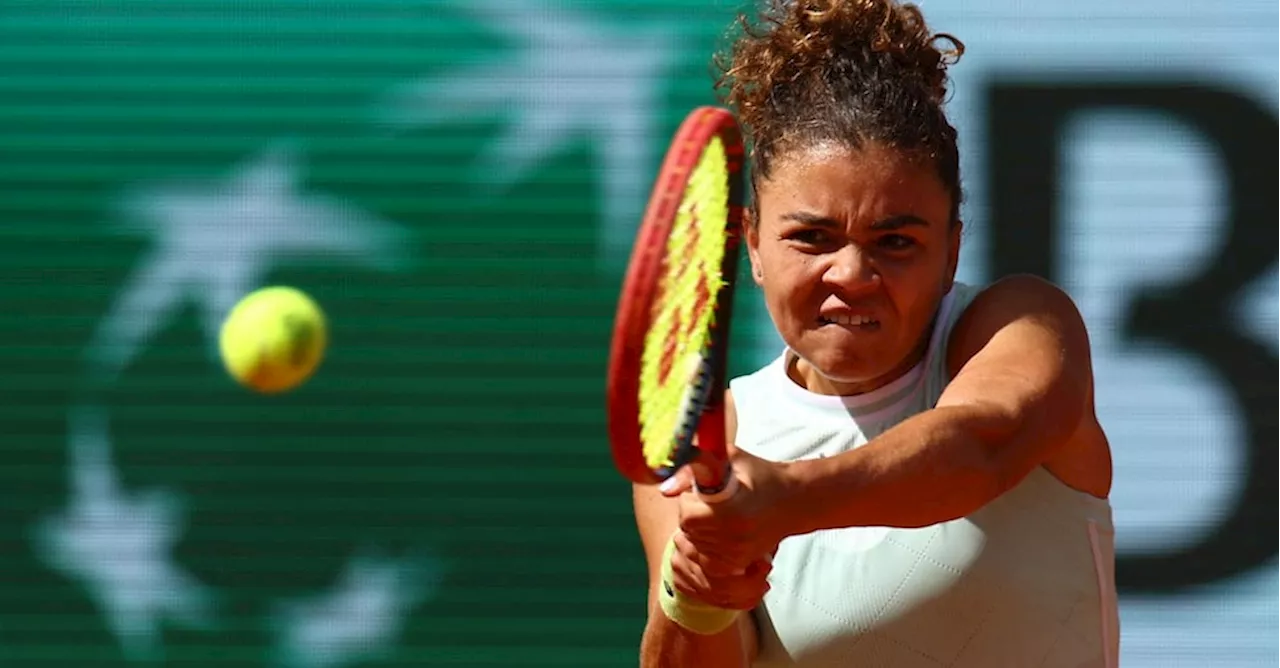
<point x="273" y="340"/>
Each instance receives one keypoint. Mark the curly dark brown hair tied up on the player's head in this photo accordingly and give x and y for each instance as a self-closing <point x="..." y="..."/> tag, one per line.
<point x="853" y="72"/>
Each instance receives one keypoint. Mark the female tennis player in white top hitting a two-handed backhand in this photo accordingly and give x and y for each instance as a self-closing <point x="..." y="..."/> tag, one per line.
<point x="922" y="463"/>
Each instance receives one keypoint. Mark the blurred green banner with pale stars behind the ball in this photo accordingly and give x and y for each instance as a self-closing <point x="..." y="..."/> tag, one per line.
<point x="162" y="159"/>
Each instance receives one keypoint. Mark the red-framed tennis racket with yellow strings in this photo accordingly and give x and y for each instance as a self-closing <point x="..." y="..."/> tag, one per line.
<point x="668" y="360"/>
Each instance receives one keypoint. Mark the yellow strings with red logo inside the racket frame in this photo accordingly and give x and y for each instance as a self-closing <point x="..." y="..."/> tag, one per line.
<point x="682" y="327"/>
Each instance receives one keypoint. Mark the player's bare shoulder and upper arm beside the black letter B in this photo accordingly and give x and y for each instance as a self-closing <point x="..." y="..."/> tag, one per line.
<point x="1022" y="353"/>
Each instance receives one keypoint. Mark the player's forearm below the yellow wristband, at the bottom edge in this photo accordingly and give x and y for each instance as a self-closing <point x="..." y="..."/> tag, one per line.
<point x="668" y="646"/>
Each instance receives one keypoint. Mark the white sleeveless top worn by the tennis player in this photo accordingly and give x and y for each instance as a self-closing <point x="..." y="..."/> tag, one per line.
<point x="1025" y="583"/>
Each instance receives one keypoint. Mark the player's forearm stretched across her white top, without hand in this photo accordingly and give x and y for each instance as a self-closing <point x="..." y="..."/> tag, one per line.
<point x="934" y="468"/>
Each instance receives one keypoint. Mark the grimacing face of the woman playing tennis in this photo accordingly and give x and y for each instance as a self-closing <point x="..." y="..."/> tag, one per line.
<point x="854" y="251"/>
